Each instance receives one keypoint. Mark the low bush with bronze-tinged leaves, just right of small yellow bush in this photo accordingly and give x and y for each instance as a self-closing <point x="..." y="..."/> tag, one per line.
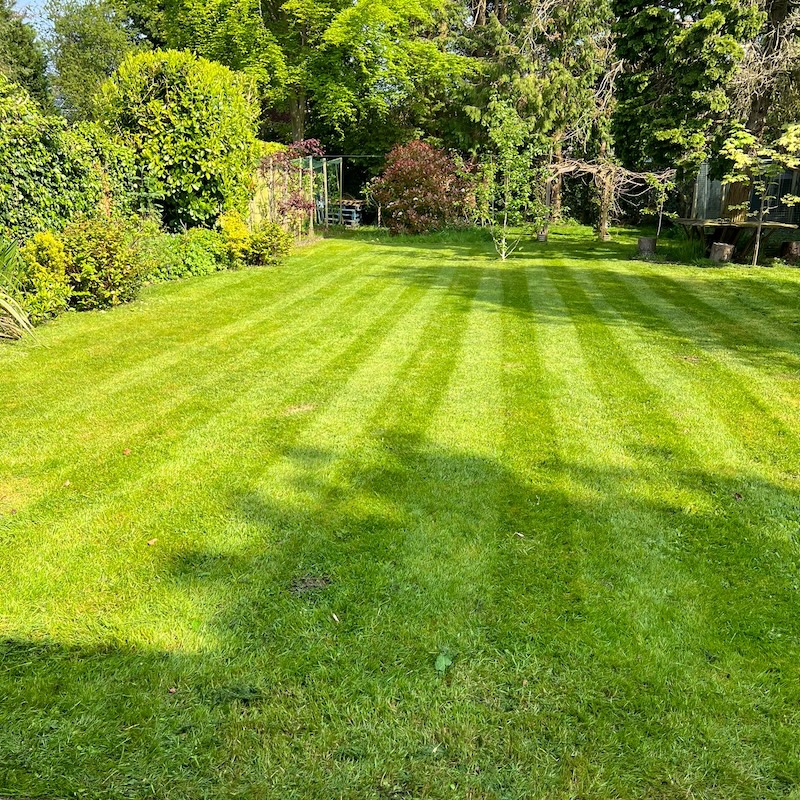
<point x="102" y="266"/>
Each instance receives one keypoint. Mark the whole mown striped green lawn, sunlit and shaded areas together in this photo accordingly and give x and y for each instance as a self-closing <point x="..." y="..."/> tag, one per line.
<point x="242" y="519"/>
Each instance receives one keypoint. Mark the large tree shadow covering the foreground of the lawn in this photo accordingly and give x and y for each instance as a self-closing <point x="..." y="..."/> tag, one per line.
<point x="604" y="632"/>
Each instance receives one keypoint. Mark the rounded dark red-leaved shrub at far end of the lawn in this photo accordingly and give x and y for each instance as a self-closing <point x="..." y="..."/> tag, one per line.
<point x="422" y="189"/>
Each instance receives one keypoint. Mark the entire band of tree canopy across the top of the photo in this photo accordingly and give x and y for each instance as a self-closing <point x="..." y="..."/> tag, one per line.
<point x="646" y="84"/>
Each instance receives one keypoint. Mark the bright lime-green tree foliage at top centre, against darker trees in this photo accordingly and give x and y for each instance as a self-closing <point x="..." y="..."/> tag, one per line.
<point x="316" y="61"/>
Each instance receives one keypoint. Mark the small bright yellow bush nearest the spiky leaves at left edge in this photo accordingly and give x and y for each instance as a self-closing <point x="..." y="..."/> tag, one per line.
<point x="43" y="287"/>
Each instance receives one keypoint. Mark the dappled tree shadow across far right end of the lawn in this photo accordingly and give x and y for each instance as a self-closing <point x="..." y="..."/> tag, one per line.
<point x="588" y="291"/>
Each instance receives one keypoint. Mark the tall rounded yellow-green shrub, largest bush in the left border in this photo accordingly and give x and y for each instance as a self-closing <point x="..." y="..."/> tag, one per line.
<point x="191" y="123"/>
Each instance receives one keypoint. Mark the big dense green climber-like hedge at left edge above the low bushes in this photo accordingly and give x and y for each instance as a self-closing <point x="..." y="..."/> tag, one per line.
<point x="50" y="175"/>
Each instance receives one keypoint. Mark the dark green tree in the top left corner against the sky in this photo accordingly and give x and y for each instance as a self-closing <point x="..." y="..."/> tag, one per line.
<point x="22" y="59"/>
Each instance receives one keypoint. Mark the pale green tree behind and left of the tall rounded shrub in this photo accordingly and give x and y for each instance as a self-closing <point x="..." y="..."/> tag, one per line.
<point x="88" y="41"/>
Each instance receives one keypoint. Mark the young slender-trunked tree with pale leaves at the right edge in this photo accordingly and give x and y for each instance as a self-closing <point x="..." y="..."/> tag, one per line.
<point x="757" y="163"/>
